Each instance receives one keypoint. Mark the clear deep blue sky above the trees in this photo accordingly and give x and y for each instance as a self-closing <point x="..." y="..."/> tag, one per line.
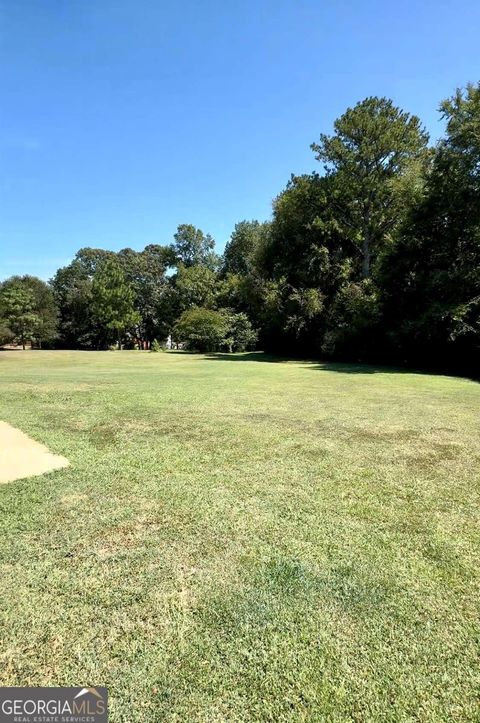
<point x="120" y="119"/>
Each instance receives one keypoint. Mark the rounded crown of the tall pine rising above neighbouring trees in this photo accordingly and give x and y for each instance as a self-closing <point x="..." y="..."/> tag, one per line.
<point x="373" y="146"/>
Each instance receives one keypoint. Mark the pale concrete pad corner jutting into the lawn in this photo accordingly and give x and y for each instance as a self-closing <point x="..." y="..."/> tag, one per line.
<point x="21" y="456"/>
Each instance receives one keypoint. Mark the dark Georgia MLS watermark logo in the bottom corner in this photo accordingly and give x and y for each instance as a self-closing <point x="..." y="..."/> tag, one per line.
<point x="53" y="705"/>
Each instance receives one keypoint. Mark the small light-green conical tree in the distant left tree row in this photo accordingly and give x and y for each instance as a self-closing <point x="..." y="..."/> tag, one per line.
<point x="113" y="300"/>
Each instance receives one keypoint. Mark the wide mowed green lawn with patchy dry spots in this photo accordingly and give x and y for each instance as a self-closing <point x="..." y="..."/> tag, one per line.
<point x="243" y="539"/>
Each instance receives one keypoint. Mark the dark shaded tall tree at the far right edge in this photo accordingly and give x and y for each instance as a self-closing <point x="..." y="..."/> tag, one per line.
<point x="431" y="278"/>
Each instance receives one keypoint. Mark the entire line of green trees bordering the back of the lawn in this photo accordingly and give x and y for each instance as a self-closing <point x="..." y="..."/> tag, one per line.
<point x="374" y="257"/>
